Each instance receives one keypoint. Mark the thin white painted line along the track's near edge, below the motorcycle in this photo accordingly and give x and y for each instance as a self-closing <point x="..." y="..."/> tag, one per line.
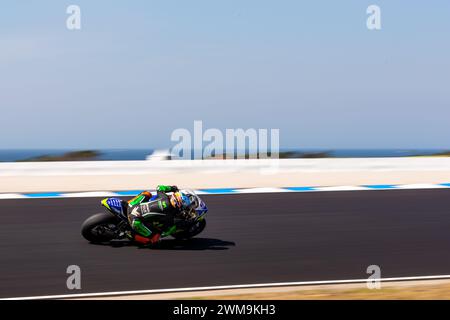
<point x="239" y="286"/>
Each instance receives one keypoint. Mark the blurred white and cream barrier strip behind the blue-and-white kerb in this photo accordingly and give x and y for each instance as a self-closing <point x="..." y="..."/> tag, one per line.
<point x="131" y="175"/>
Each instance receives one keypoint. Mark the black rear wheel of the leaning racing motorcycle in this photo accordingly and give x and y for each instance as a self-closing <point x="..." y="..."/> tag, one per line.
<point x="100" y="227"/>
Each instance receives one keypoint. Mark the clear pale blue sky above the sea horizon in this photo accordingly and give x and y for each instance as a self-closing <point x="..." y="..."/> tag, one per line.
<point x="137" y="70"/>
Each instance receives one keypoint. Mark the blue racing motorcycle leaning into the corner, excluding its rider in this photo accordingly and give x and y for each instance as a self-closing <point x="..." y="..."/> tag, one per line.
<point x="113" y="224"/>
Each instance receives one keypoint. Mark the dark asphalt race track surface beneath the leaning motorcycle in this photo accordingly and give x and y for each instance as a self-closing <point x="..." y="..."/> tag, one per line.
<point x="250" y="238"/>
